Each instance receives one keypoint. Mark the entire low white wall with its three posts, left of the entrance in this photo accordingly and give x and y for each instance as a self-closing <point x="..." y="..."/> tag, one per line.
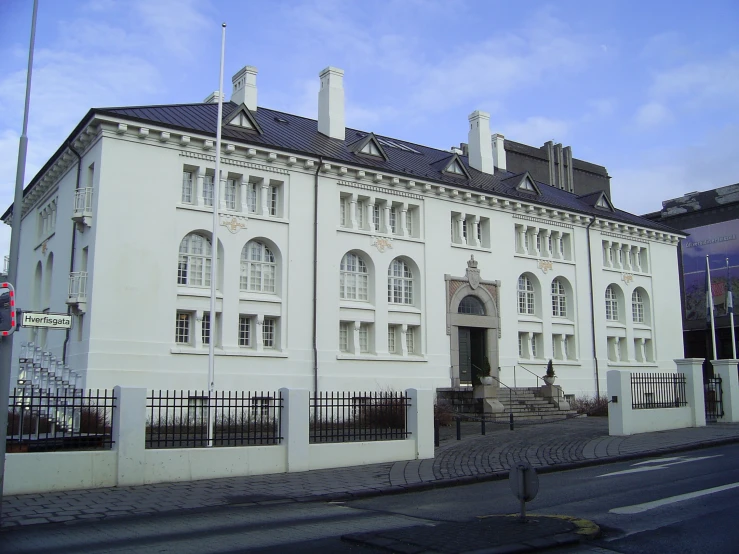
<point x="130" y="463"/>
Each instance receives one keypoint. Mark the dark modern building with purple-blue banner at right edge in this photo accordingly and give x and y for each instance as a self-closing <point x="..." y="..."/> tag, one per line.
<point x="711" y="220"/>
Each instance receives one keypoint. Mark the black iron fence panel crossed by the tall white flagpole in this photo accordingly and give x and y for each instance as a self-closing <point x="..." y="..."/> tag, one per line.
<point x="181" y="419"/>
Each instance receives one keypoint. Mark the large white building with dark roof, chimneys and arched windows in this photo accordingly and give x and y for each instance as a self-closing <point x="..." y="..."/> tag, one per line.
<point x="342" y="257"/>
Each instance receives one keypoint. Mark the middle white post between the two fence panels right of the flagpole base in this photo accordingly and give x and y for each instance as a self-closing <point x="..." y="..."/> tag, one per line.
<point x="296" y="428"/>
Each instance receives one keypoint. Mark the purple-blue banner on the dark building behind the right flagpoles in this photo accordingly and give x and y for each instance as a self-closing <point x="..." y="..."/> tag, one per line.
<point x="718" y="241"/>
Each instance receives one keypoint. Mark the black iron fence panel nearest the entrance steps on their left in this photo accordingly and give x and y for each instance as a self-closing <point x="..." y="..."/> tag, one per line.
<point x="363" y="416"/>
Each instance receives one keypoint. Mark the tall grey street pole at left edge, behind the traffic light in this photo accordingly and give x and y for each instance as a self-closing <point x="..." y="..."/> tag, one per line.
<point x="6" y="344"/>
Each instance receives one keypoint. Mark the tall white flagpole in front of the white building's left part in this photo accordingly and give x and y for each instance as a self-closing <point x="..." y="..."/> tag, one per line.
<point x="214" y="247"/>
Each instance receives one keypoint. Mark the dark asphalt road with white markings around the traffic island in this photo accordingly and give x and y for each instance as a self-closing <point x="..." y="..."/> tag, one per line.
<point x="676" y="503"/>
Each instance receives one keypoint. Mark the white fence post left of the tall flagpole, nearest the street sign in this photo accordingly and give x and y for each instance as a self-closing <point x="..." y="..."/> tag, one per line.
<point x="129" y="435"/>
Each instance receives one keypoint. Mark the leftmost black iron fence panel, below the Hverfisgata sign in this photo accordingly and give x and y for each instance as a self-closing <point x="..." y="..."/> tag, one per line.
<point x="65" y="420"/>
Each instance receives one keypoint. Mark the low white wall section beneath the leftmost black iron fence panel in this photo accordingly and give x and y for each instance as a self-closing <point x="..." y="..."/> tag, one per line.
<point x="34" y="472"/>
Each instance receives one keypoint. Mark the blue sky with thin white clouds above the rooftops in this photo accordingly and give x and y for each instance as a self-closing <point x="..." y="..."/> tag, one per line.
<point x="648" y="89"/>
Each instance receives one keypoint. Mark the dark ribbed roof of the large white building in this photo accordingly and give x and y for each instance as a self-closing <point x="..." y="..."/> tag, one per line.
<point x="296" y="134"/>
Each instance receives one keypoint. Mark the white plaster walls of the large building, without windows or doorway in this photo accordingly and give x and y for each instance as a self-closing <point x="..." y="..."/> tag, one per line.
<point x="127" y="241"/>
